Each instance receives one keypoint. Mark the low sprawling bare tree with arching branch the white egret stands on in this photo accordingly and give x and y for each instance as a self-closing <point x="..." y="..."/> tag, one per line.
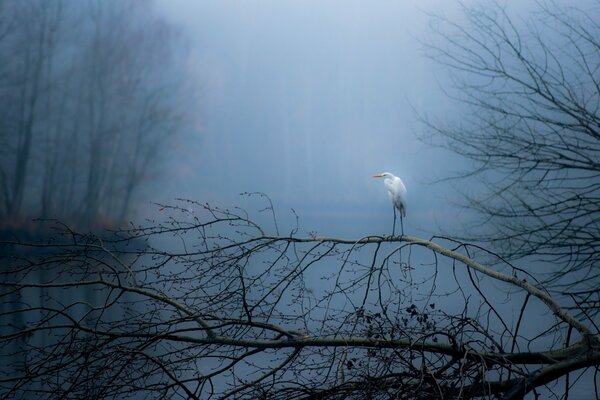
<point x="210" y="305"/>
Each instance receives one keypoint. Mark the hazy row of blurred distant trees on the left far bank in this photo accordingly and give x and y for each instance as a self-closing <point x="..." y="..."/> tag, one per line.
<point x="87" y="99"/>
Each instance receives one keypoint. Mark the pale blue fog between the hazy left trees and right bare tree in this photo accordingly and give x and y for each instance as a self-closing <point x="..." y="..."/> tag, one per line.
<point x="304" y="101"/>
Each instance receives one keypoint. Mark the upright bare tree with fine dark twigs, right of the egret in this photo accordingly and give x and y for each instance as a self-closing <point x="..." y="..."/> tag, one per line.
<point x="531" y="93"/>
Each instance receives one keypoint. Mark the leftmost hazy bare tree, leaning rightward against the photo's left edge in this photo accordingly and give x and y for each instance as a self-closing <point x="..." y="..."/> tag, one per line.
<point x="25" y="81"/>
